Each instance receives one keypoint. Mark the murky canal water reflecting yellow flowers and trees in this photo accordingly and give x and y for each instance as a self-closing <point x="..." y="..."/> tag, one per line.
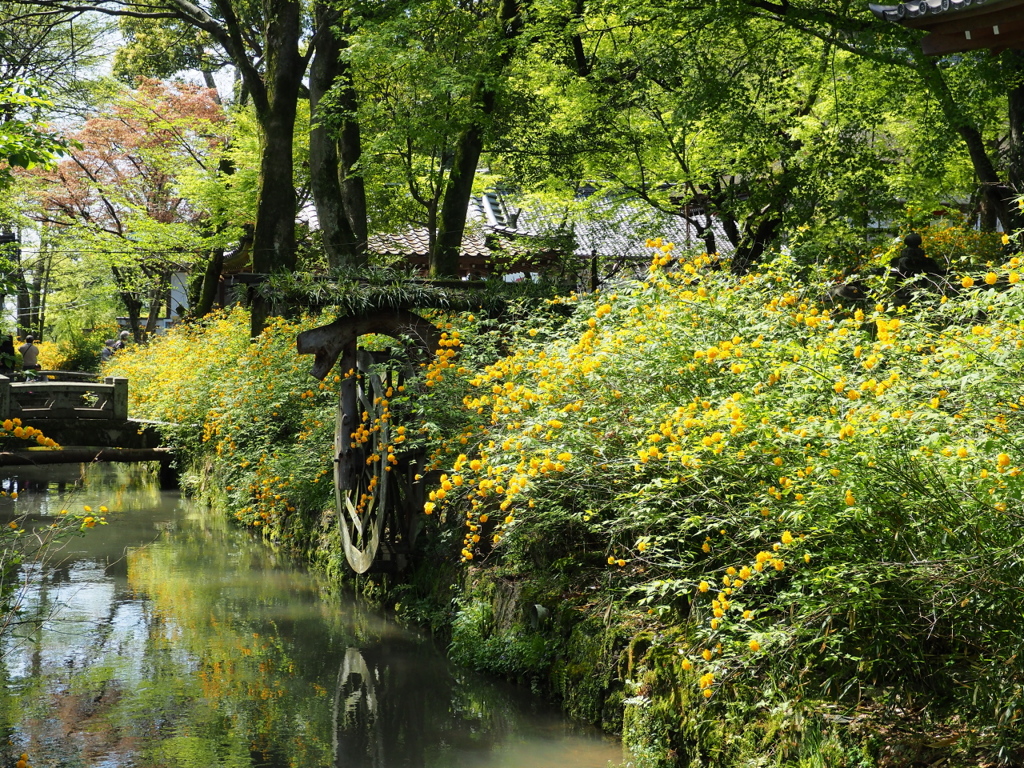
<point x="172" y="639"/>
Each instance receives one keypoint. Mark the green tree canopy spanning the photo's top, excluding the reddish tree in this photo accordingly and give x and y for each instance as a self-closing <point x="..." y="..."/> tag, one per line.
<point x="757" y="124"/>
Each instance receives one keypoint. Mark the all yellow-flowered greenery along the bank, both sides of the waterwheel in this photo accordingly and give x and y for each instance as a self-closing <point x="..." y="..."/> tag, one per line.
<point x="742" y="524"/>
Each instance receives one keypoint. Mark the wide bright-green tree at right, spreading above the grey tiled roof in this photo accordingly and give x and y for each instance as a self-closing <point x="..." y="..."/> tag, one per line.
<point x="745" y="116"/>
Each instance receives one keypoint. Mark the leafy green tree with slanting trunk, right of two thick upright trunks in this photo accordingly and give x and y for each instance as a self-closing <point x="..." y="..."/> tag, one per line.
<point x="431" y="77"/>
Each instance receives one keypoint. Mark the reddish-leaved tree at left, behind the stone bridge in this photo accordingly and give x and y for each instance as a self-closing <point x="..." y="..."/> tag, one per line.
<point x="119" y="196"/>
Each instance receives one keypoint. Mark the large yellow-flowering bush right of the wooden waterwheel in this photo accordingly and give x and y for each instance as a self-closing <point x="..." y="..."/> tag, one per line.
<point x="806" y="503"/>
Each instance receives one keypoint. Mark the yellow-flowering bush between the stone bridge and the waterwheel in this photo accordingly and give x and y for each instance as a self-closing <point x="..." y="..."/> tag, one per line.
<point x="259" y="429"/>
